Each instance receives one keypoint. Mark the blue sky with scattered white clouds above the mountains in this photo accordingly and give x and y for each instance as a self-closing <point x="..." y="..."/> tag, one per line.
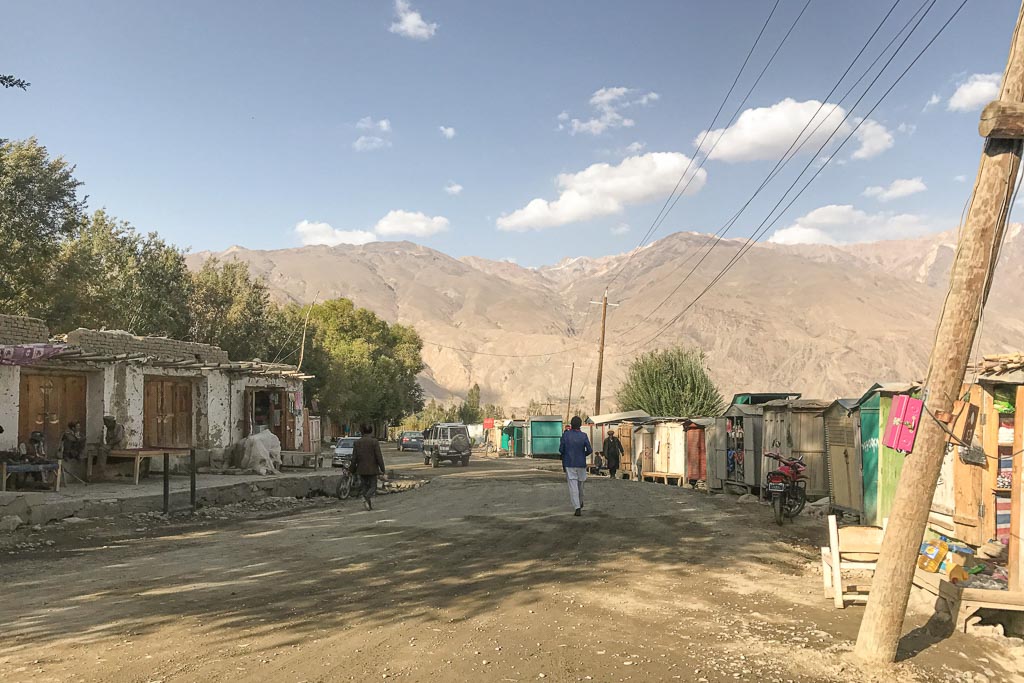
<point x="231" y="123"/>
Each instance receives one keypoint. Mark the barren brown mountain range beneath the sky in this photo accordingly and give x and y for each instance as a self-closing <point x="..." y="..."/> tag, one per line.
<point x="827" y="322"/>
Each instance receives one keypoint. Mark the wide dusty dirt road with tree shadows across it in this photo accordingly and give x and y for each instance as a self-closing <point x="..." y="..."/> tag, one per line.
<point x="483" y="575"/>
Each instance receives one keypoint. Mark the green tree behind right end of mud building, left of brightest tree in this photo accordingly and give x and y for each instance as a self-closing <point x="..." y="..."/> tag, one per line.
<point x="231" y="309"/>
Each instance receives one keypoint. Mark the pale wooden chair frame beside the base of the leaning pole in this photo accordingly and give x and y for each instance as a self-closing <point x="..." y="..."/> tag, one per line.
<point x="849" y="548"/>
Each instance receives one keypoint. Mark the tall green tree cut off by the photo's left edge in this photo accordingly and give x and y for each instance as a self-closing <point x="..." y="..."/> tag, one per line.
<point x="40" y="209"/>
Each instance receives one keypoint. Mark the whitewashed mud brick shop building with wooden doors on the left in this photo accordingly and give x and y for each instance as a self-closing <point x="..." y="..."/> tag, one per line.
<point x="167" y="394"/>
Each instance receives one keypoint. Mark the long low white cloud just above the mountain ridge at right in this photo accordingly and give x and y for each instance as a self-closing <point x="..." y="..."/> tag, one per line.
<point x="844" y="225"/>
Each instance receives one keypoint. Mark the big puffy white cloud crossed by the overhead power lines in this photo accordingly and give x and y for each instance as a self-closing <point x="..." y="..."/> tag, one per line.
<point x="767" y="133"/>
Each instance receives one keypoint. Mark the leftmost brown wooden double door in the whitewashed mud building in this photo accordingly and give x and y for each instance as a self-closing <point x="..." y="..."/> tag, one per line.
<point x="49" y="403"/>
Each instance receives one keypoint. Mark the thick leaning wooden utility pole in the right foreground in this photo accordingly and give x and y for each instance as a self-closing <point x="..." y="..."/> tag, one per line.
<point x="973" y="266"/>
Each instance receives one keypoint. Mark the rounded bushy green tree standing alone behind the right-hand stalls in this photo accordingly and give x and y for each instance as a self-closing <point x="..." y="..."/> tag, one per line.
<point x="671" y="383"/>
